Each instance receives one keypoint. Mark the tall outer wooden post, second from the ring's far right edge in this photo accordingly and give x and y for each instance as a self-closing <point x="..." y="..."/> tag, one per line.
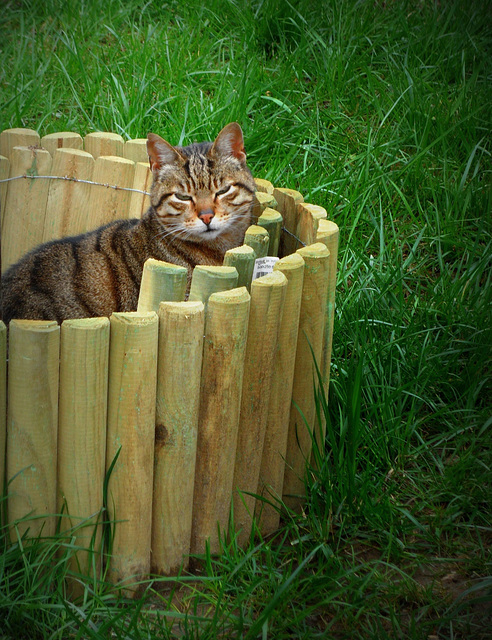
<point x="310" y="336"/>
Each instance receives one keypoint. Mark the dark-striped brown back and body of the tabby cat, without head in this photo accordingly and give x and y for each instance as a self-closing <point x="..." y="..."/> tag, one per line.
<point x="81" y="276"/>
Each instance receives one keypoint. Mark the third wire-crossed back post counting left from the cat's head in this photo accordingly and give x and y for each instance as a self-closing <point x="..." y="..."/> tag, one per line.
<point x="66" y="209"/>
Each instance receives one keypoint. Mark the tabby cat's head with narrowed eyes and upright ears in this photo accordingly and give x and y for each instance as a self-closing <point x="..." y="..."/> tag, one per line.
<point x="203" y="191"/>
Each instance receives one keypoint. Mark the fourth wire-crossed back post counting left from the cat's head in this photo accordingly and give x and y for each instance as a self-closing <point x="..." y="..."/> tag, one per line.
<point x="26" y="203"/>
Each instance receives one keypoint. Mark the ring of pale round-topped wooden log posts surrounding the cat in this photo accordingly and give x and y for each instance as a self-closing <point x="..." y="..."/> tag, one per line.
<point x="192" y="408"/>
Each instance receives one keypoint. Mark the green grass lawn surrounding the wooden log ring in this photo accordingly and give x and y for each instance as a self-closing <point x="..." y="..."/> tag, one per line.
<point x="380" y="112"/>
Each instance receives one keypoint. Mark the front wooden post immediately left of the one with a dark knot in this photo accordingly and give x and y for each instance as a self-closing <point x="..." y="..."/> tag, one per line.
<point x="131" y="429"/>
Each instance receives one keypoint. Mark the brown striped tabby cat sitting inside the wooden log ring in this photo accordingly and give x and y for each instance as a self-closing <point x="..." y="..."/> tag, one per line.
<point x="201" y="200"/>
